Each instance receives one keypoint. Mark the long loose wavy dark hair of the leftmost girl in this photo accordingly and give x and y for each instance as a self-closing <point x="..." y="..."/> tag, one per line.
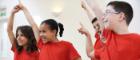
<point x="28" y="33"/>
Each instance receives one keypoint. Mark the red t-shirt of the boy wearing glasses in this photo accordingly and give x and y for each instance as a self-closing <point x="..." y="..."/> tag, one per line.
<point x="117" y="46"/>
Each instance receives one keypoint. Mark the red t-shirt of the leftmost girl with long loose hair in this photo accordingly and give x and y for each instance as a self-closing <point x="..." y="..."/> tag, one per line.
<point x="24" y="55"/>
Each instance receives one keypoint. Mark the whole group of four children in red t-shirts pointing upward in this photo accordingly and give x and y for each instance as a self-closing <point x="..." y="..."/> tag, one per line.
<point x="113" y="40"/>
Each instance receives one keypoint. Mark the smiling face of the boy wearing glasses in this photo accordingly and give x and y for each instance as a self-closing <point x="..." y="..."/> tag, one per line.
<point x="111" y="18"/>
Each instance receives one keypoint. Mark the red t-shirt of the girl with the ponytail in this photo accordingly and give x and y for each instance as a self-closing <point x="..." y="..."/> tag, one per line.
<point x="61" y="50"/>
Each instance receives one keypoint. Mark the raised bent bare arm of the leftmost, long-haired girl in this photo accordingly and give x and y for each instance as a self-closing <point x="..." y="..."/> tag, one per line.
<point x="10" y="24"/>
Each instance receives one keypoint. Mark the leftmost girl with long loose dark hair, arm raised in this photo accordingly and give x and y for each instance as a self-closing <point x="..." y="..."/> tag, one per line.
<point x="24" y="43"/>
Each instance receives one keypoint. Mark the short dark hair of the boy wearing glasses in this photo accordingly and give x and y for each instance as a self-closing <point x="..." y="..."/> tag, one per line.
<point x="126" y="8"/>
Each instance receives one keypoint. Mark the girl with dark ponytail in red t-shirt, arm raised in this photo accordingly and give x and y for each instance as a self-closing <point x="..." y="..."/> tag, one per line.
<point x="50" y="47"/>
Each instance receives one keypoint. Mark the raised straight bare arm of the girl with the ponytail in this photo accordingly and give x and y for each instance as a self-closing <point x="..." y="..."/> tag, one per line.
<point x="30" y="20"/>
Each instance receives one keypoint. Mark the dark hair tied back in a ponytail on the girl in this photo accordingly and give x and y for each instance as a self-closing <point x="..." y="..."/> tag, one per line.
<point x="53" y="25"/>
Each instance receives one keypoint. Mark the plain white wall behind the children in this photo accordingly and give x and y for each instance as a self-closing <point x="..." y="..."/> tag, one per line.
<point x="72" y="14"/>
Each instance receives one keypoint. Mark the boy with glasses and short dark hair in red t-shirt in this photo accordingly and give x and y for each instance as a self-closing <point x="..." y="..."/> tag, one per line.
<point x="116" y="43"/>
